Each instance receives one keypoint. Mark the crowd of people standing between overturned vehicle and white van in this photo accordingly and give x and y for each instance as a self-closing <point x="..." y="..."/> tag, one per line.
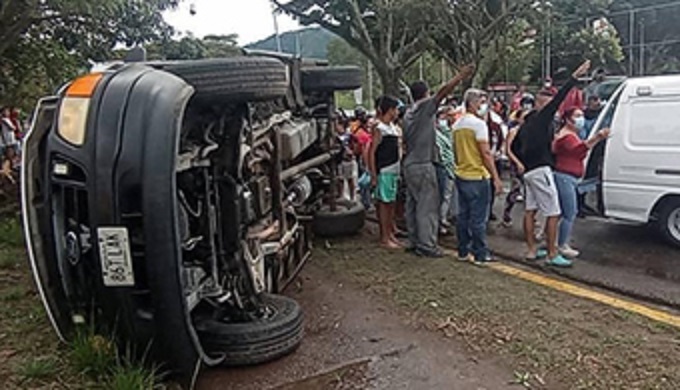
<point x="441" y="162"/>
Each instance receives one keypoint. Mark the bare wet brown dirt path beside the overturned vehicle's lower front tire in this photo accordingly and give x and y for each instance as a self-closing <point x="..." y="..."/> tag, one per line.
<point x="355" y="339"/>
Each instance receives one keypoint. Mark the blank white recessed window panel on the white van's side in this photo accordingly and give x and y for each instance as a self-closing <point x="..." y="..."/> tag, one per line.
<point x="655" y="123"/>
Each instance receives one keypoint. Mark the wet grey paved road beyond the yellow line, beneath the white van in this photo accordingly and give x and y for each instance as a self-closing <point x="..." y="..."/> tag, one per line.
<point x="626" y="258"/>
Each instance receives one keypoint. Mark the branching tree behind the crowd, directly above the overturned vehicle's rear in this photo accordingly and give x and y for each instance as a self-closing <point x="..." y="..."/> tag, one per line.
<point x="390" y="33"/>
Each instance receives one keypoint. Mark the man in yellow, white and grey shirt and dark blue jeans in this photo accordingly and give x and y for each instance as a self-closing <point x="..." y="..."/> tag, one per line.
<point x="474" y="168"/>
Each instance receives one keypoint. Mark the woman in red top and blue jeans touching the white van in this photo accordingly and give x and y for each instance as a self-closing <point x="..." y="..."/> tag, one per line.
<point x="570" y="152"/>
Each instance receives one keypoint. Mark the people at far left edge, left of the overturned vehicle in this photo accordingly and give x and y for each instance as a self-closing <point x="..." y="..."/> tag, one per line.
<point x="11" y="133"/>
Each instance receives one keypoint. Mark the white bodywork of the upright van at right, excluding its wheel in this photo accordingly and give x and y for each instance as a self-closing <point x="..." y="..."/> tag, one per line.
<point x="642" y="159"/>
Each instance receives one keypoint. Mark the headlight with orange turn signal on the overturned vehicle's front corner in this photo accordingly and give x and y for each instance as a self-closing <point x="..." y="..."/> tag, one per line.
<point x="74" y="108"/>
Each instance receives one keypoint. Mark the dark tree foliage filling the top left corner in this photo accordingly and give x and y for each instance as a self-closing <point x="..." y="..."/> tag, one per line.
<point x="45" y="42"/>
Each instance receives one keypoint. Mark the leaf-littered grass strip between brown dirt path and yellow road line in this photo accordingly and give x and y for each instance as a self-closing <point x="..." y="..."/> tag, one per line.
<point x="552" y="340"/>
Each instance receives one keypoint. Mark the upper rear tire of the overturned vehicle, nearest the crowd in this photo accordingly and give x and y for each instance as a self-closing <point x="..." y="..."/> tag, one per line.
<point x="341" y="78"/>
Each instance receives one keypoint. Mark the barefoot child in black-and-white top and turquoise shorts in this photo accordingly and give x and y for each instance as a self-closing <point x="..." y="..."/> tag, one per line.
<point x="384" y="165"/>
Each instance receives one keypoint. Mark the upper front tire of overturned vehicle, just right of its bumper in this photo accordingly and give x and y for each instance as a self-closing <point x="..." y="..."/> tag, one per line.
<point x="234" y="79"/>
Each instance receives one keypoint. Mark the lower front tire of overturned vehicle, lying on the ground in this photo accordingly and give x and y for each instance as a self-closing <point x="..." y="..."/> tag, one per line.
<point x="258" y="341"/>
